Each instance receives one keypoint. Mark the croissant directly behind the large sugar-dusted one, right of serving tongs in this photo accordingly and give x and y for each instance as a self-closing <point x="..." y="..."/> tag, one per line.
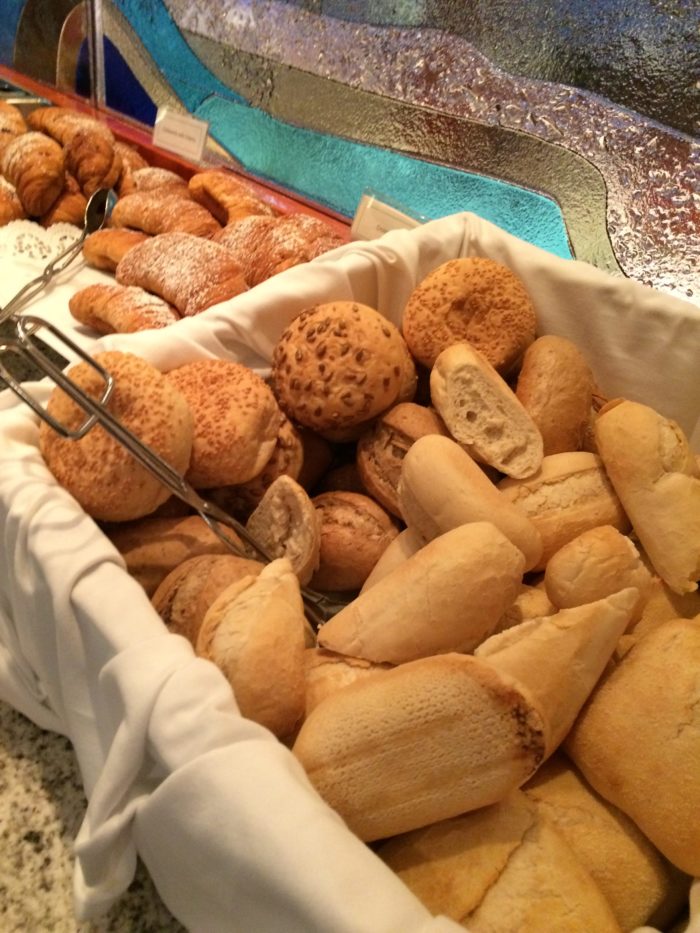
<point x="161" y="211"/>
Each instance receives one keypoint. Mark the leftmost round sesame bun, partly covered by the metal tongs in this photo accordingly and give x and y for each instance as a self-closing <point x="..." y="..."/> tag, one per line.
<point x="97" y="470"/>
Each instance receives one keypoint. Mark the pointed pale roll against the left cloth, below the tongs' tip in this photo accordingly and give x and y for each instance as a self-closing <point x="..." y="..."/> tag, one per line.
<point x="255" y="633"/>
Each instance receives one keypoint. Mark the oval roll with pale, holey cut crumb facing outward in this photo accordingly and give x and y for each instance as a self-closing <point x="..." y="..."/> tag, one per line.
<point x="482" y="412"/>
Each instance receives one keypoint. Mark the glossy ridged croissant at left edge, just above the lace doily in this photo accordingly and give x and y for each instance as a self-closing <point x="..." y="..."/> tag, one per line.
<point x="34" y="164"/>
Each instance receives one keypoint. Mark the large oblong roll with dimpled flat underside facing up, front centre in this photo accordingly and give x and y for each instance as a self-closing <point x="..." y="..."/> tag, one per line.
<point x="423" y="742"/>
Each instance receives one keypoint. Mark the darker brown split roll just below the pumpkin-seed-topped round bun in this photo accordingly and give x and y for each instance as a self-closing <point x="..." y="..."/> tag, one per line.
<point x="381" y="449"/>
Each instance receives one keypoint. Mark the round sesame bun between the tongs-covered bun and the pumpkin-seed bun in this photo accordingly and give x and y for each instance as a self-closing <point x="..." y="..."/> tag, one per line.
<point x="236" y="417"/>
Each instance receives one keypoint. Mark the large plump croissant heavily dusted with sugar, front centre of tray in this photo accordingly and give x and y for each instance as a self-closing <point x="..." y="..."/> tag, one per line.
<point x="188" y="271"/>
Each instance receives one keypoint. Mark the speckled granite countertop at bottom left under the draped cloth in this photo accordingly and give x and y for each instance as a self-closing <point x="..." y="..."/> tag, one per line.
<point x="41" y="808"/>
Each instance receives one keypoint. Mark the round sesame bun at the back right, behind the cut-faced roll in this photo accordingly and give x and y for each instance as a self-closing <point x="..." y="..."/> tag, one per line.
<point x="474" y="299"/>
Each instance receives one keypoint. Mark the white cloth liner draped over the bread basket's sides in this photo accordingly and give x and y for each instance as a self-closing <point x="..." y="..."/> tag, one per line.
<point x="230" y="829"/>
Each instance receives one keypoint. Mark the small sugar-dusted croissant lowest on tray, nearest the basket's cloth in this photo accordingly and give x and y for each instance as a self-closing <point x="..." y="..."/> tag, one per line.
<point x="120" y="309"/>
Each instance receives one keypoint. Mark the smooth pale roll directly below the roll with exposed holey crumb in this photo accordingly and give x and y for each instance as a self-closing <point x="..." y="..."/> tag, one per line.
<point x="442" y="487"/>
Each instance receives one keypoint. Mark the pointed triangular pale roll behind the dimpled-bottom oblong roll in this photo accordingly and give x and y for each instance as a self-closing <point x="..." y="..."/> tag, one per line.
<point x="560" y="658"/>
